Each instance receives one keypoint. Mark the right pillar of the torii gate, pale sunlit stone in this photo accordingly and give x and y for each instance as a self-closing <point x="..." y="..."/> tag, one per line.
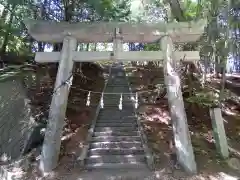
<point x="183" y="145"/>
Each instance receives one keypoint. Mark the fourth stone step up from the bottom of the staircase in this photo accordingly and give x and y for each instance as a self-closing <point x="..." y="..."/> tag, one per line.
<point x="110" y="145"/>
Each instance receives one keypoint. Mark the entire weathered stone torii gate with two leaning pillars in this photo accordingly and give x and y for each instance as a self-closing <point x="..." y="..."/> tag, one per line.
<point x="118" y="33"/>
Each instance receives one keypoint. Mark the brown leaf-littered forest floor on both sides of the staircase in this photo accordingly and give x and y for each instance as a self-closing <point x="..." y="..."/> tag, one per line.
<point x="157" y="124"/>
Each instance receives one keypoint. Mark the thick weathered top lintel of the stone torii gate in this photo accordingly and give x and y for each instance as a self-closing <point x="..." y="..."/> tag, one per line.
<point x="87" y="32"/>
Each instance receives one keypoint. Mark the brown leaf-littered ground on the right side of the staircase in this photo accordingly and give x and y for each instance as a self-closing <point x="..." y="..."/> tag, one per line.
<point x="156" y="120"/>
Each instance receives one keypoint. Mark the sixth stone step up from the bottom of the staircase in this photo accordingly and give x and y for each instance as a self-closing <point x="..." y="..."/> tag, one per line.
<point x="116" y="133"/>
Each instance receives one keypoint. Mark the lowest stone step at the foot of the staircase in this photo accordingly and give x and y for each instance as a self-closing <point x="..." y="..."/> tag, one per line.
<point x="125" y="166"/>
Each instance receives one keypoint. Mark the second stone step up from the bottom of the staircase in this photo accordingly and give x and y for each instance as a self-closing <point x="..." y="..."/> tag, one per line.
<point x="94" y="159"/>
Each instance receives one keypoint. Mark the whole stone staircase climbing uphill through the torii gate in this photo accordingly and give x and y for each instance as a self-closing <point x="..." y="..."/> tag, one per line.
<point x="116" y="140"/>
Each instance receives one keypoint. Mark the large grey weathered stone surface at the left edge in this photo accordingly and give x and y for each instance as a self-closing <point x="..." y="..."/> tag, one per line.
<point x="15" y="118"/>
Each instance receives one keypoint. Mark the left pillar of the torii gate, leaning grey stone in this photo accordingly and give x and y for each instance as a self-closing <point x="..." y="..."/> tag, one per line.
<point x="52" y="140"/>
